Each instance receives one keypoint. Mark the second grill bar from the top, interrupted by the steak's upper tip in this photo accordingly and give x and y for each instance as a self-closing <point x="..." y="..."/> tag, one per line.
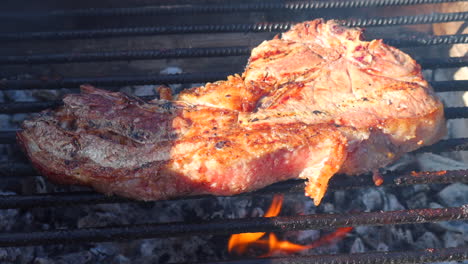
<point x="227" y="28"/>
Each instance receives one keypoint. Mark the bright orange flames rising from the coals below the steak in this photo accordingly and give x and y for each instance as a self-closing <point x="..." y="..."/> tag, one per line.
<point x="240" y="243"/>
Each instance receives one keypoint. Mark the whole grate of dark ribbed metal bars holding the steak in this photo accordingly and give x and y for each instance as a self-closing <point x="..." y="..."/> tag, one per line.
<point x="18" y="170"/>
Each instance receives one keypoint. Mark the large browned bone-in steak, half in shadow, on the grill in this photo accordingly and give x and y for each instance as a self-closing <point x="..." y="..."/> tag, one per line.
<point x="314" y="102"/>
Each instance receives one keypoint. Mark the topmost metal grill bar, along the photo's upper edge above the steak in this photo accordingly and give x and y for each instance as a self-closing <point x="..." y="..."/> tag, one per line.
<point x="225" y="8"/>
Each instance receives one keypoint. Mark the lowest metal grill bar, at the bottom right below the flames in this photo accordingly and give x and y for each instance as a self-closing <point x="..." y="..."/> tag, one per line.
<point x="418" y="256"/>
